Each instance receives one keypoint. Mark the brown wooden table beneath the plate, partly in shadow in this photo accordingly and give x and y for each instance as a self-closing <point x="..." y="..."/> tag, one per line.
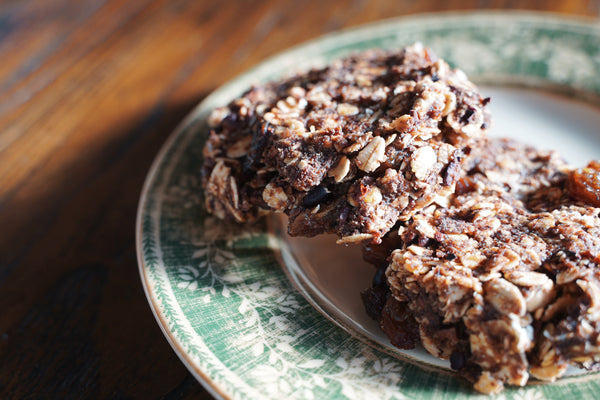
<point x="89" y="90"/>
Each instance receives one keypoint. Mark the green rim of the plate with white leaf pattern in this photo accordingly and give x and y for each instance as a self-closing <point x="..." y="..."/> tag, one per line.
<point x="217" y="288"/>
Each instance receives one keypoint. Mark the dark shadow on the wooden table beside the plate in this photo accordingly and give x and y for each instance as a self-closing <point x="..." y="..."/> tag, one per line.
<point x="75" y="321"/>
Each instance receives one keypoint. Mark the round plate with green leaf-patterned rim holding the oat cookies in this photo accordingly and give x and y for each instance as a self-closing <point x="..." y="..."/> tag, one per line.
<point x="256" y="315"/>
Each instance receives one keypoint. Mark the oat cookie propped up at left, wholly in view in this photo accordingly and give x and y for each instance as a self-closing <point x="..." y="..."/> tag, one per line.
<point x="349" y="149"/>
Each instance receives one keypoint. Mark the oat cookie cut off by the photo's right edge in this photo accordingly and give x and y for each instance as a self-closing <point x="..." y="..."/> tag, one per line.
<point x="504" y="281"/>
